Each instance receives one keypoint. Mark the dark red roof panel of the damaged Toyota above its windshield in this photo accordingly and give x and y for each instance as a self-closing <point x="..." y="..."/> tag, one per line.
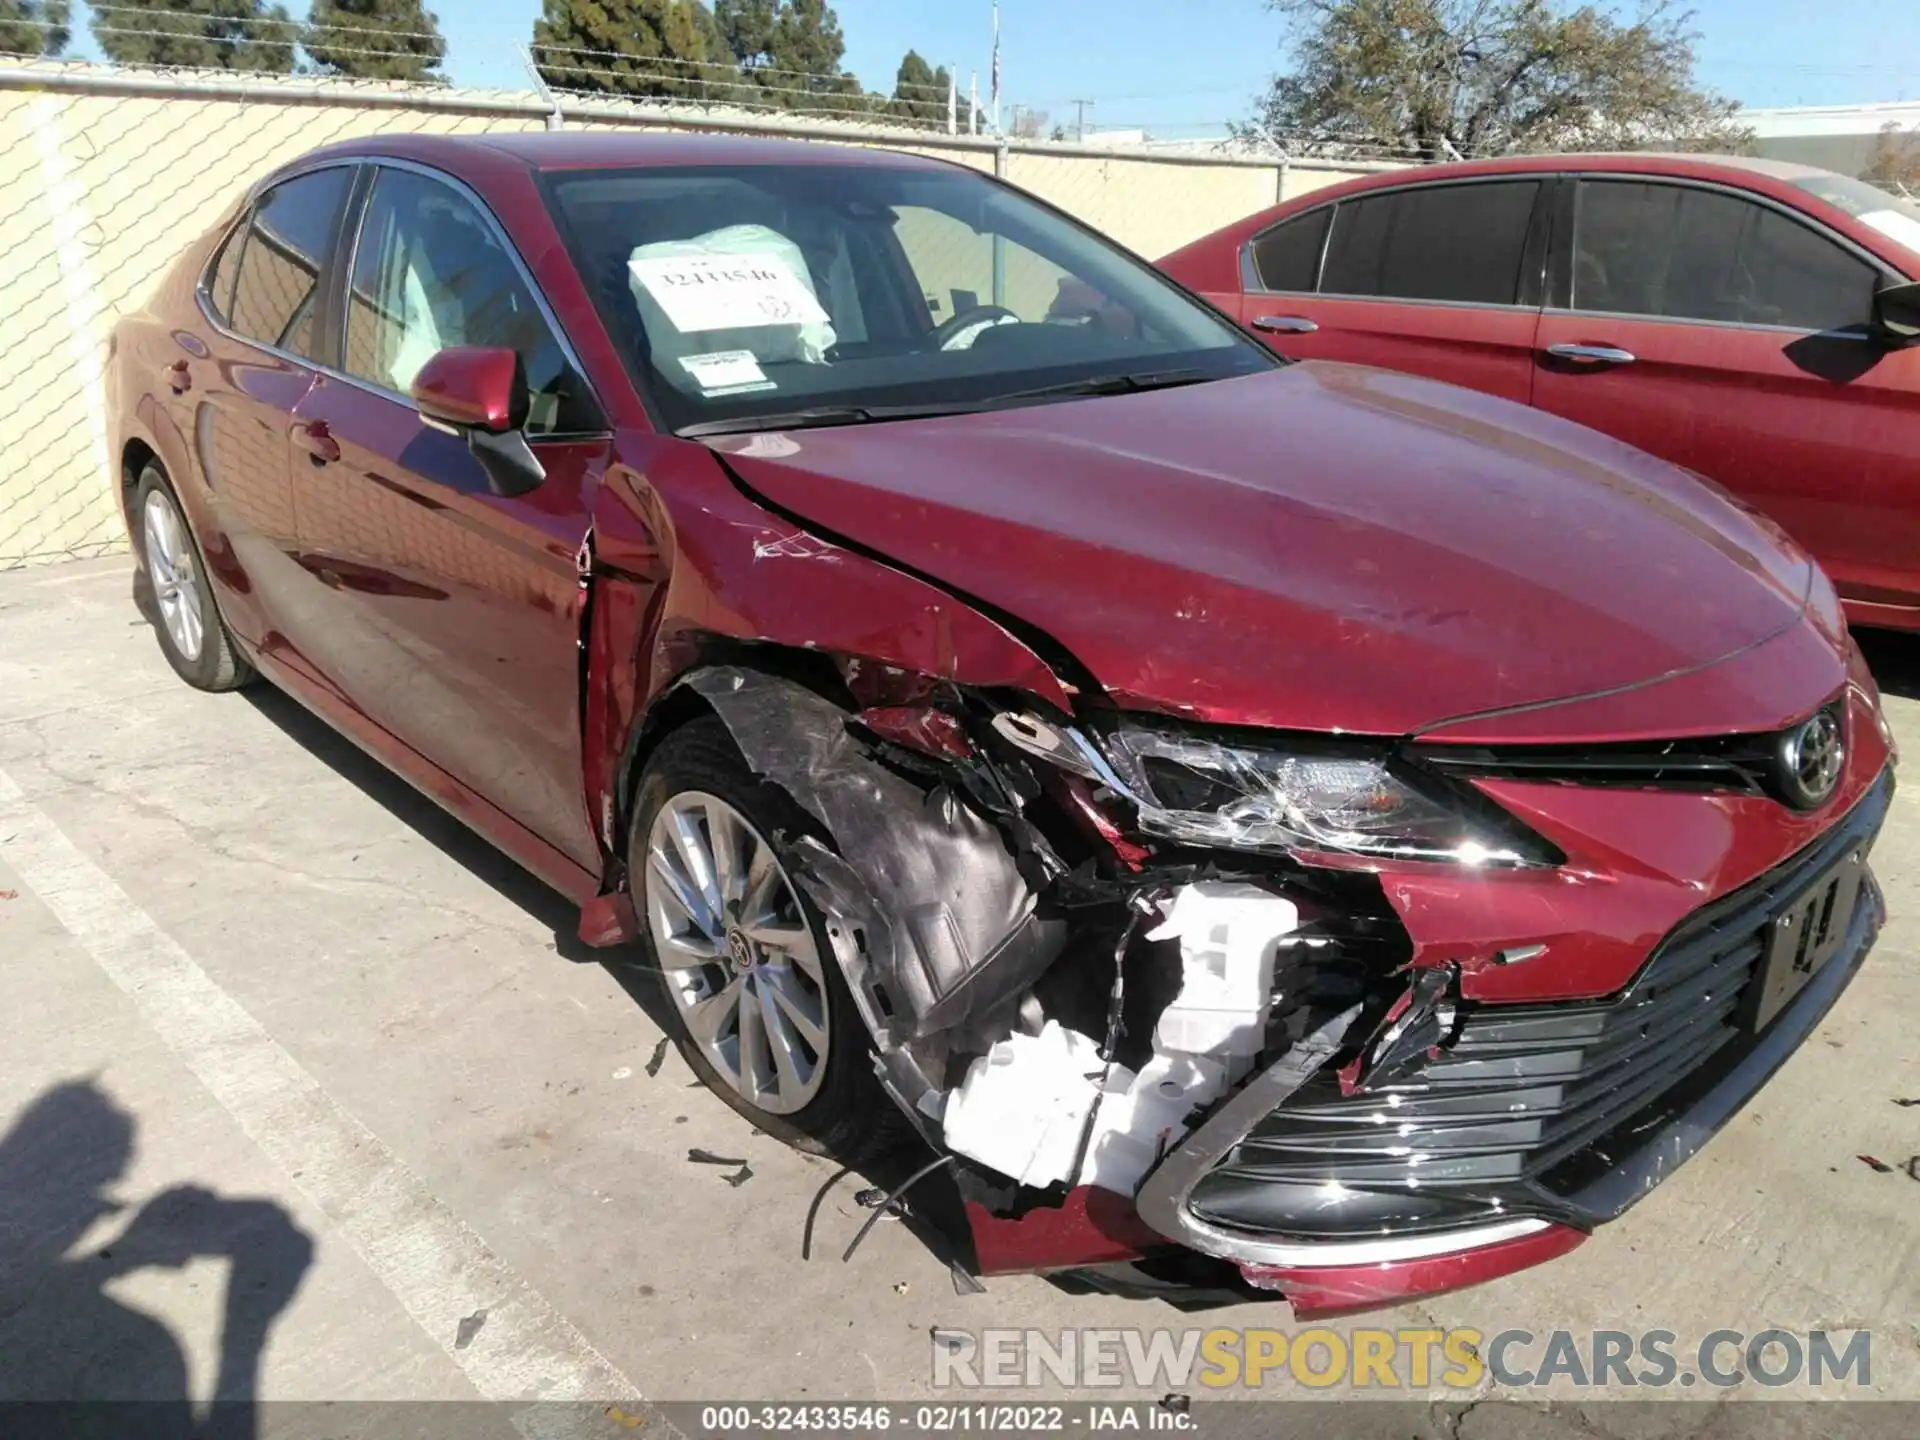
<point x="613" y="151"/>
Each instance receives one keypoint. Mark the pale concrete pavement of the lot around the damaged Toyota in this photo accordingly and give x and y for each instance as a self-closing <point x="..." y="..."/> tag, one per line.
<point x="274" y="1017"/>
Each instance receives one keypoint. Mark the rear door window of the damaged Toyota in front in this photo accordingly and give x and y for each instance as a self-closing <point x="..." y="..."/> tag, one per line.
<point x="281" y="264"/>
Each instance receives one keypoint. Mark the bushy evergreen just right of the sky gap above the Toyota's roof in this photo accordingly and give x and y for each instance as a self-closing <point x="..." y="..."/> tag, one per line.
<point x="625" y="47"/>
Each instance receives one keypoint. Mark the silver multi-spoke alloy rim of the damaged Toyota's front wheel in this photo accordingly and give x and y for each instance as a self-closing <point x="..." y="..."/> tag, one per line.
<point x="738" y="951"/>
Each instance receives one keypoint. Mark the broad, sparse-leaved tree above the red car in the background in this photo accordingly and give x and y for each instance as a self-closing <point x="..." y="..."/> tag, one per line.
<point x="1441" y="78"/>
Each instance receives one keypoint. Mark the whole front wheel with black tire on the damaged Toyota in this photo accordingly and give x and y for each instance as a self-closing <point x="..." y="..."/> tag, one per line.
<point x="754" y="996"/>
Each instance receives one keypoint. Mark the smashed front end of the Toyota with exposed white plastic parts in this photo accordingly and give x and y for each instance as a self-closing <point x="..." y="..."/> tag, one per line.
<point x="1151" y="996"/>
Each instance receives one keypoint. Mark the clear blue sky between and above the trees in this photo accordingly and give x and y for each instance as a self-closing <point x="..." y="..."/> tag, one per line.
<point x="1189" y="66"/>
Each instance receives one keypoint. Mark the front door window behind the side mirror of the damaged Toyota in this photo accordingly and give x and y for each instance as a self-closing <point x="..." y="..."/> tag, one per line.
<point x="433" y="274"/>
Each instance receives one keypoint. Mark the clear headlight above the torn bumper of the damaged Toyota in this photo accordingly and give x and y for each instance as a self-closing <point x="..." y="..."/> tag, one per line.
<point x="1284" y="798"/>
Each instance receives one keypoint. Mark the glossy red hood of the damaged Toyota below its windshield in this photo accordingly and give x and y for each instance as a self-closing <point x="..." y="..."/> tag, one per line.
<point x="1320" y="548"/>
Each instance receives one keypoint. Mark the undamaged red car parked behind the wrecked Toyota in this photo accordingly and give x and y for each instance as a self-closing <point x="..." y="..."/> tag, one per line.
<point x="1748" y="320"/>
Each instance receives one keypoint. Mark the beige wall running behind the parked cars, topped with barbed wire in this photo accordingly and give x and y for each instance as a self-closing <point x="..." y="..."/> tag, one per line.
<point x="101" y="193"/>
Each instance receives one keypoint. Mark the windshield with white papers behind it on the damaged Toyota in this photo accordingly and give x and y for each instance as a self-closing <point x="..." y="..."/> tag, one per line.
<point x="744" y="293"/>
